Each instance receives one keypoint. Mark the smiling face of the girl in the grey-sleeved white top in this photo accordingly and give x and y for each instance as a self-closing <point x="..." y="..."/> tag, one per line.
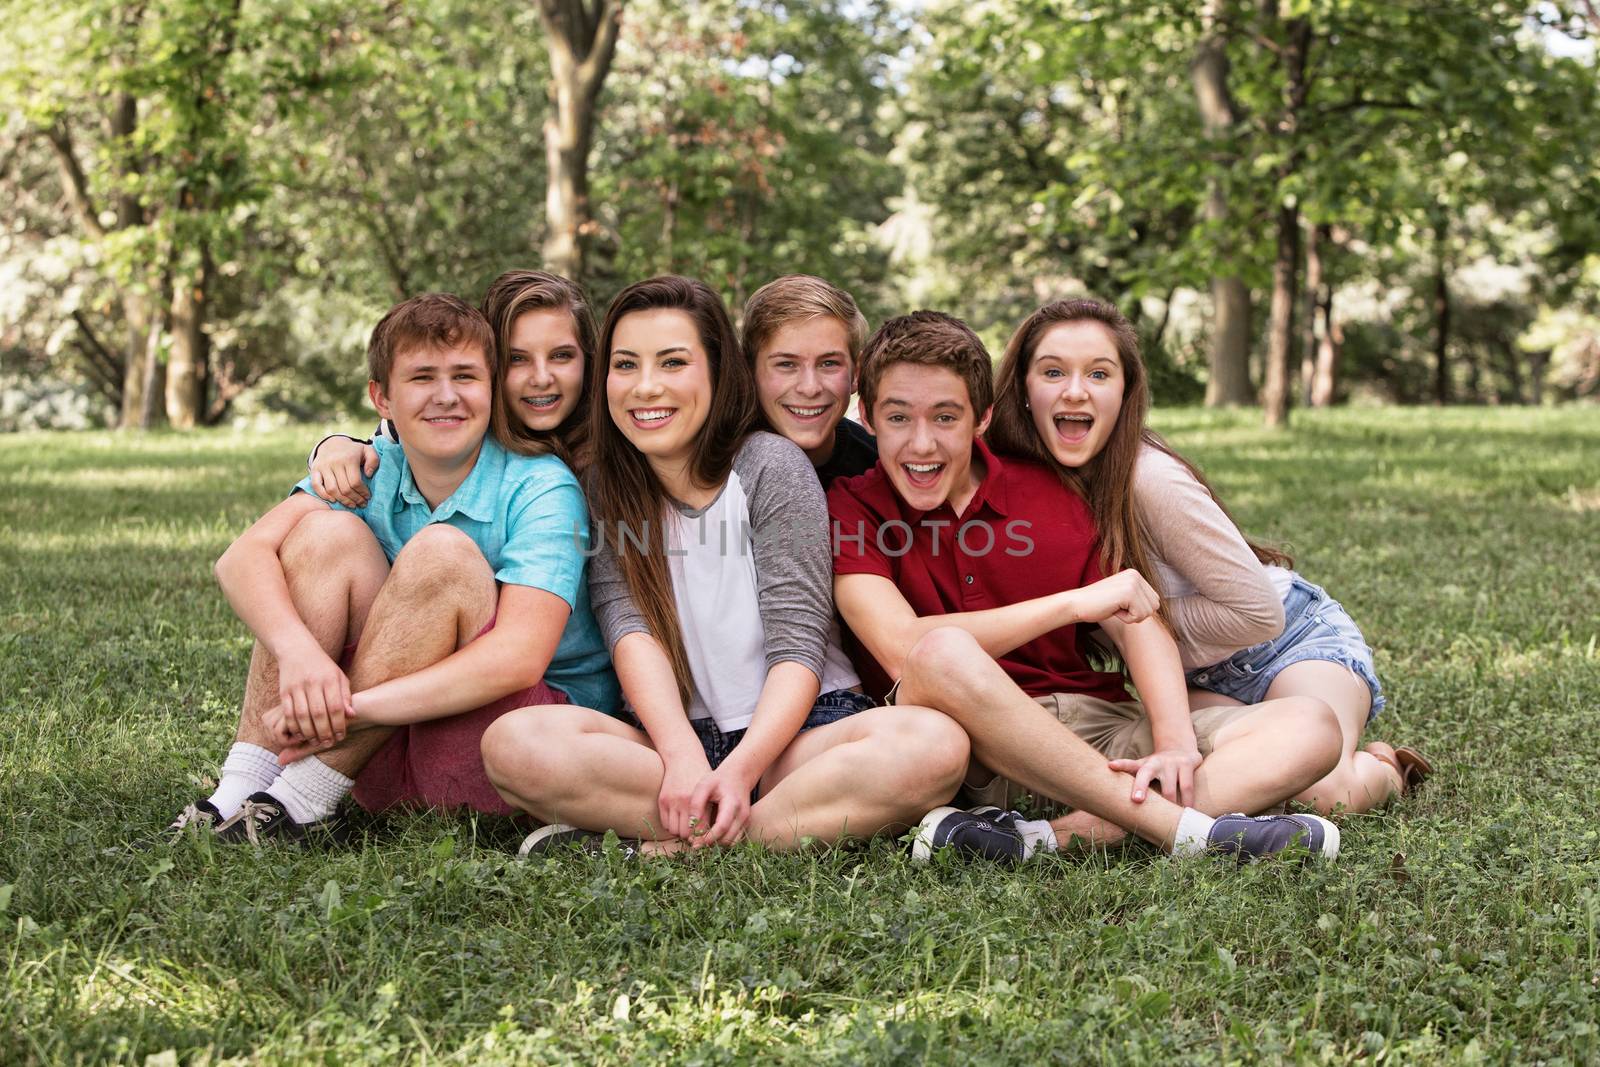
<point x="658" y="385"/>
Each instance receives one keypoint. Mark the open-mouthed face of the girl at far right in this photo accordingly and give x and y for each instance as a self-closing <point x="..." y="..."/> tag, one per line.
<point x="1074" y="391"/>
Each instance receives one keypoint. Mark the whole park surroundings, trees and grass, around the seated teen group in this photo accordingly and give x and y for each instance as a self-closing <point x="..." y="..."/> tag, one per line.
<point x="1364" y="233"/>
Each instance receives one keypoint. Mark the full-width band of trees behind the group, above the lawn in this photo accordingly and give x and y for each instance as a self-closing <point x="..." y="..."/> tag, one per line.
<point x="206" y="204"/>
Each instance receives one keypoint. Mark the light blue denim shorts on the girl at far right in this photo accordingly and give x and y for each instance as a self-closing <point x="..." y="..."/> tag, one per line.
<point x="1314" y="628"/>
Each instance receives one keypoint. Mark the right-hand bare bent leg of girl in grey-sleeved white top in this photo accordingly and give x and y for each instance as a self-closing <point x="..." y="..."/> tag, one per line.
<point x="879" y="770"/>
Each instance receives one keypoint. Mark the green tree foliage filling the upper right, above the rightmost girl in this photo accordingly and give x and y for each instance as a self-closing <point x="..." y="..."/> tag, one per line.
<point x="1060" y="146"/>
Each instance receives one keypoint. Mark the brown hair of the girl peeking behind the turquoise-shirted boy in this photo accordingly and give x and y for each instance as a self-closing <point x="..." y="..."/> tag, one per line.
<point x="510" y="298"/>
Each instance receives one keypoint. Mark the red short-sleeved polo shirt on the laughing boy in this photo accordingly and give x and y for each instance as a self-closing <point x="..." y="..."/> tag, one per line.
<point x="1023" y="535"/>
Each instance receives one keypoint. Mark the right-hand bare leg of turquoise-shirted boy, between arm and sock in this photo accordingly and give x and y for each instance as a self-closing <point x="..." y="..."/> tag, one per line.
<point x="439" y="596"/>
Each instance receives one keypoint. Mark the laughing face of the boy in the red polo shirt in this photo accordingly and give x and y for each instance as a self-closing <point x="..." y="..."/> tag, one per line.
<point x="926" y="425"/>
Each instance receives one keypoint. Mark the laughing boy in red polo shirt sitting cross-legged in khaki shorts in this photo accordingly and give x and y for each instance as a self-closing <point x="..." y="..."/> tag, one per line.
<point x="974" y="581"/>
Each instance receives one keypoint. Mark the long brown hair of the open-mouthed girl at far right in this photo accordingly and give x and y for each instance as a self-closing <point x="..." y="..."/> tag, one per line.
<point x="1106" y="481"/>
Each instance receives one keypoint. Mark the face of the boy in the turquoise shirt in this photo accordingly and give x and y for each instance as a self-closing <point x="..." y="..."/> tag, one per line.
<point x="439" y="399"/>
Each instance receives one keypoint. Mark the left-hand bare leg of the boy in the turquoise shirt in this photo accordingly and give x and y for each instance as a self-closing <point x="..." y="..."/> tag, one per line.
<point x="335" y="569"/>
